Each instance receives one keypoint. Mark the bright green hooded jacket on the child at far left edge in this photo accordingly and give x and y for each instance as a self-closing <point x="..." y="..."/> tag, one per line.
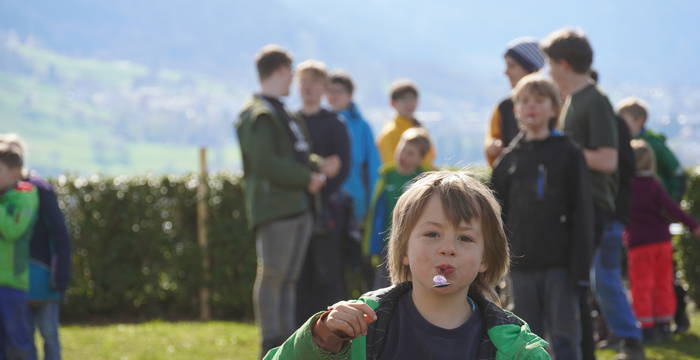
<point x="18" y="212"/>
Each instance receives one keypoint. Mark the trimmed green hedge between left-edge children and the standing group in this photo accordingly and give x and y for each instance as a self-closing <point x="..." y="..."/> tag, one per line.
<point x="136" y="254"/>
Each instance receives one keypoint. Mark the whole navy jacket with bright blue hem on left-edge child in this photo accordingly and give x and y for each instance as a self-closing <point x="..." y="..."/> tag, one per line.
<point x="49" y="271"/>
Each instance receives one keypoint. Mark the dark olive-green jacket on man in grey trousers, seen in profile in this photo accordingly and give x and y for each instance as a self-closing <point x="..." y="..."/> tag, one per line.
<point x="274" y="181"/>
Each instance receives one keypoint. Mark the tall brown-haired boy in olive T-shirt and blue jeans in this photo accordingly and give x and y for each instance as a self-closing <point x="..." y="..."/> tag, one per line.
<point x="589" y="119"/>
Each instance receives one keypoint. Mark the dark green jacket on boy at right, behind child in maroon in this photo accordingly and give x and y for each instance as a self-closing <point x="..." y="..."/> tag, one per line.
<point x="668" y="168"/>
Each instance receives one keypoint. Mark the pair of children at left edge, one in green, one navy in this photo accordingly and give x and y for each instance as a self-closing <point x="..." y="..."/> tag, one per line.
<point x="34" y="258"/>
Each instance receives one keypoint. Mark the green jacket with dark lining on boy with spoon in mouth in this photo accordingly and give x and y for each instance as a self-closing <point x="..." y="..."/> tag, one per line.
<point x="505" y="335"/>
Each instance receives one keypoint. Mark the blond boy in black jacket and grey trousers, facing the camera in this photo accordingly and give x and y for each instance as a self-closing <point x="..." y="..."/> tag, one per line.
<point x="543" y="186"/>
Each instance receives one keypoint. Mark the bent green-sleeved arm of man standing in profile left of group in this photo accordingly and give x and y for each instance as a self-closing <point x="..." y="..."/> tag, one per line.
<point x="283" y="172"/>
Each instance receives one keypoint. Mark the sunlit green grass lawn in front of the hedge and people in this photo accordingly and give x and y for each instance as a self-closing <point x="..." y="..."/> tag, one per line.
<point x="231" y="340"/>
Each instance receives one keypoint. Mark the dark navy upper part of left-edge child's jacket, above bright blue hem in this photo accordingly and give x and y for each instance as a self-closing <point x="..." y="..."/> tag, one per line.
<point x="50" y="243"/>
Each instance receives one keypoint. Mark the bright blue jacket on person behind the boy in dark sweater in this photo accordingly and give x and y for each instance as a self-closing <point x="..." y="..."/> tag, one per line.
<point x="364" y="157"/>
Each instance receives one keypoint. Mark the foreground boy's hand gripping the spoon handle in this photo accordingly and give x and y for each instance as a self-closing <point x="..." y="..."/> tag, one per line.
<point x="348" y="320"/>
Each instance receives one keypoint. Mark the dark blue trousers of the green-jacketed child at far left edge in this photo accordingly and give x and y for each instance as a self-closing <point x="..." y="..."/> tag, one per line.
<point x="16" y="342"/>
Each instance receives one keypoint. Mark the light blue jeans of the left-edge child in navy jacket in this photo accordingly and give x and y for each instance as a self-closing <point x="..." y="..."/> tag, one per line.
<point x="45" y="317"/>
